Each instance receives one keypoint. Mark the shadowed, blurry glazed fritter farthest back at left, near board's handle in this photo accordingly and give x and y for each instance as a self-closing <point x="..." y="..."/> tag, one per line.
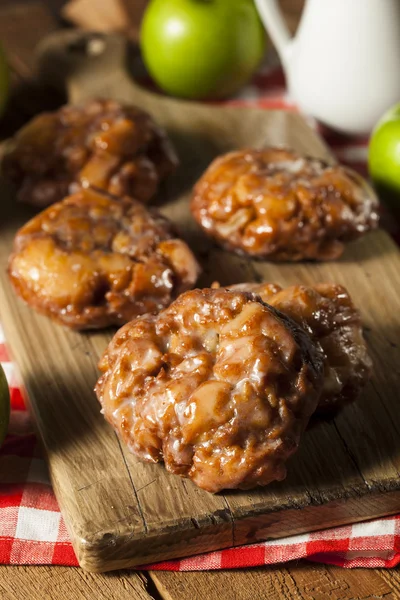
<point x="102" y="144"/>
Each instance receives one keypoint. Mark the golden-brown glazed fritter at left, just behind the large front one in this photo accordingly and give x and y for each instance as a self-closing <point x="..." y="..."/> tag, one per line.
<point x="92" y="260"/>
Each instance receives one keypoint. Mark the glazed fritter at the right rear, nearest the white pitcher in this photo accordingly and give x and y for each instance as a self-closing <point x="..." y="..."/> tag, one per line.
<point x="275" y="204"/>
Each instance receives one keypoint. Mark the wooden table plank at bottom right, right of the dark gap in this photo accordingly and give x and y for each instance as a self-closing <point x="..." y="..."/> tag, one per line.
<point x="300" y="581"/>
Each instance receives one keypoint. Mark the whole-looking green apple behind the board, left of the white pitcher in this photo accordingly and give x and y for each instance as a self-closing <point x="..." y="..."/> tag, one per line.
<point x="202" y="48"/>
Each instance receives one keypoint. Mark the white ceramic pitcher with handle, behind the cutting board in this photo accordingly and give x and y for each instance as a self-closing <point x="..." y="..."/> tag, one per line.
<point x="343" y="65"/>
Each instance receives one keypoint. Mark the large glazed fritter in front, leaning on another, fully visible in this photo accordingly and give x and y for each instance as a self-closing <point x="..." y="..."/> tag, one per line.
<point x="219" y="386"/>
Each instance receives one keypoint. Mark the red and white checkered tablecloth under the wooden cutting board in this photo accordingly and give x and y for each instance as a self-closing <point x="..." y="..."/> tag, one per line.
<point x="32" y="530"/>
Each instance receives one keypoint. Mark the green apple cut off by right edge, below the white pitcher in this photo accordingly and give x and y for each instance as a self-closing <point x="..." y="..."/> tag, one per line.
<point x="384" y="157"/>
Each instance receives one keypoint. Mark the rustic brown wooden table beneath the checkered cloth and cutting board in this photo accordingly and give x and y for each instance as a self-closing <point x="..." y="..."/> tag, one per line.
<point x="21" y="27"/>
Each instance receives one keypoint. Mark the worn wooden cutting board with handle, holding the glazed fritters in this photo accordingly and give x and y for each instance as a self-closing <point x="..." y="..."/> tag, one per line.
<point x="121" y="512"/>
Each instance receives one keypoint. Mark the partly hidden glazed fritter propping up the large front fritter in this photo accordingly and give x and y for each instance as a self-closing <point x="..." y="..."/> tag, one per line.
<point x="328" y="314"/>
